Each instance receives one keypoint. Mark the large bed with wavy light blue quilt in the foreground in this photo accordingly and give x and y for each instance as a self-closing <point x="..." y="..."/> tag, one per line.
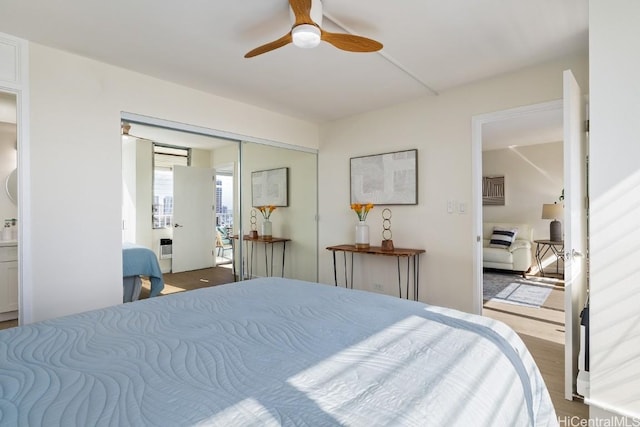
<point x="270" y="351"/>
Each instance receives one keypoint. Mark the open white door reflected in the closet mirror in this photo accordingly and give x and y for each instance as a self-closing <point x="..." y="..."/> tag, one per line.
<point x="194" y="218"/>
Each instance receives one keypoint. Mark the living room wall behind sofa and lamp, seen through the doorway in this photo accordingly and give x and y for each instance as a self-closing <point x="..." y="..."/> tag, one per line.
<point x="533" y="176"/>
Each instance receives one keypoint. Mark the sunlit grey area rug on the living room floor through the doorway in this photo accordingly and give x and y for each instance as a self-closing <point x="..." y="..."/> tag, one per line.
<point x="515" y="289"/>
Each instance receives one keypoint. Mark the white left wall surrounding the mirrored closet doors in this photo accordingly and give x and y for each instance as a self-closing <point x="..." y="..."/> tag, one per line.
<point x="75" y="171"/>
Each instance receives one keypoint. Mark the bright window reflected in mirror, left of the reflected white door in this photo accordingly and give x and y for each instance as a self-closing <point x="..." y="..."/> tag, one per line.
<point x="164" y="158"/>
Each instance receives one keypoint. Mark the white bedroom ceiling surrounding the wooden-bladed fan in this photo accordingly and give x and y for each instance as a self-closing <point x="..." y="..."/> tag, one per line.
<point x="430" y="46"/>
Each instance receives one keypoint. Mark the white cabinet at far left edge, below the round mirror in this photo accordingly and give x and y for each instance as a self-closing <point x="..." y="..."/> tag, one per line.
<point x="8" y="280"/>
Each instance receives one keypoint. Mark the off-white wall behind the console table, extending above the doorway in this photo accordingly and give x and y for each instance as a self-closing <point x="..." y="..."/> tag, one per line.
<point x="440" y="128"/>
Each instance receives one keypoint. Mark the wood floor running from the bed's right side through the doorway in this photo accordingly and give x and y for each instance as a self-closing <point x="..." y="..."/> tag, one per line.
<point x="542" y="330"/>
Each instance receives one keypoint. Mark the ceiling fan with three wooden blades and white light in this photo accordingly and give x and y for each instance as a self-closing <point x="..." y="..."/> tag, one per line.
<point x="306" y="32"/>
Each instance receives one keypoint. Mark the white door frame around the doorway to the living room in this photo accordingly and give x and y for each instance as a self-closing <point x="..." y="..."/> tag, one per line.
<point x="476" y="178"/>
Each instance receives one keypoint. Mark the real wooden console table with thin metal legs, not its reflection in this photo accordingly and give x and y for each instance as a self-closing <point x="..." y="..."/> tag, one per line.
<point x="409" y="254"/>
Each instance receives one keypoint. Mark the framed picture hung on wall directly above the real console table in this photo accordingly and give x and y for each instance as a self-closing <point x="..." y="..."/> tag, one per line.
<point x="385" y="179"/>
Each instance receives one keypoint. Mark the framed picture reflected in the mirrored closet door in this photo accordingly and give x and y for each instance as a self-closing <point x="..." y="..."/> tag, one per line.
<point x="270" y="187"/>
